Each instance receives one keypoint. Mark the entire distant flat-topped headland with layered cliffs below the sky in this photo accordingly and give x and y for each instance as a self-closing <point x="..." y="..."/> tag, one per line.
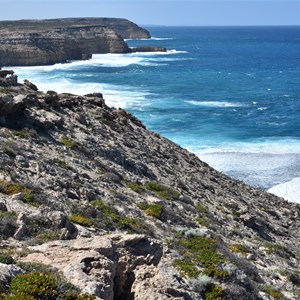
<point x="46" y="42"/>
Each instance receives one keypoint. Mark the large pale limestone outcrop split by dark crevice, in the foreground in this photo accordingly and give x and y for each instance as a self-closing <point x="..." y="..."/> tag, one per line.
<point x="102" y="266"/>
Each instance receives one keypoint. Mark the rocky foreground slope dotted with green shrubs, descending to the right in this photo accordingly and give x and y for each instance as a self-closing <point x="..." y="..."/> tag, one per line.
<point x="120" y="212"/>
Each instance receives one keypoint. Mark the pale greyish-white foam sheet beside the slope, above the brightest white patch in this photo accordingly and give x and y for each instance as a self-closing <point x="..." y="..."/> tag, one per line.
<point x="257" y="165"/>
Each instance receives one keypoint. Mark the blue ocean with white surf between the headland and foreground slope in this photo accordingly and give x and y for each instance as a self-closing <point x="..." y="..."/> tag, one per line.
<point x="231" y="95"/>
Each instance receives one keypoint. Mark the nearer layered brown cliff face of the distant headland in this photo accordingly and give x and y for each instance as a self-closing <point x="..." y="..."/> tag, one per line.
<point x="29" y="48"/>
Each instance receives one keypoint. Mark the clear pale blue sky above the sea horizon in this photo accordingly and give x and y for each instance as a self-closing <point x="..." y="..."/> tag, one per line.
<point x="161" y="12"/>
